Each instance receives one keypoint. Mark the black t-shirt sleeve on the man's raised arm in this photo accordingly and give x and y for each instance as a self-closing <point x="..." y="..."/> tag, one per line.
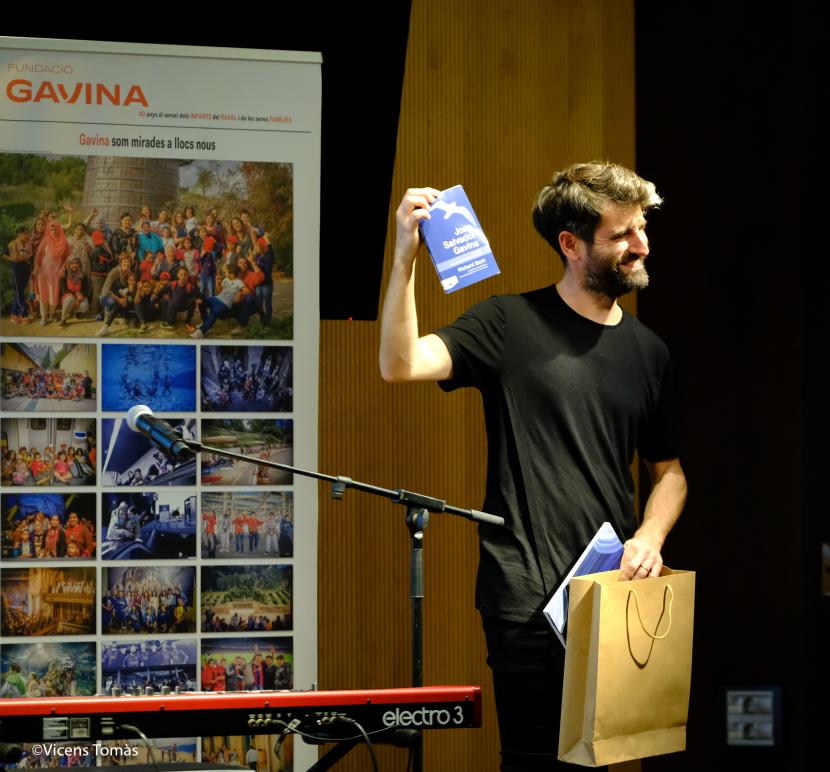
<point x="476" y="343"/>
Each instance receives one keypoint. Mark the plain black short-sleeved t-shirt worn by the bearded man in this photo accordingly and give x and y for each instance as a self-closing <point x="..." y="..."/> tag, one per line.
<point x="567" y="401"/>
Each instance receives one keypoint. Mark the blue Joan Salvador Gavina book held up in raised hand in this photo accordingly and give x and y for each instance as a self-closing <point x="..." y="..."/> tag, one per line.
<point x="459" y="249"/>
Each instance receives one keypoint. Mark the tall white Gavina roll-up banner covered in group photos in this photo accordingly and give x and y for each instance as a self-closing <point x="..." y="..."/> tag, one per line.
<point x="140" y="274"/>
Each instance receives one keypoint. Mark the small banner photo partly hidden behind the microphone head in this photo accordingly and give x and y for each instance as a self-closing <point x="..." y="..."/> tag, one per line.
<point x="129" y="458"/>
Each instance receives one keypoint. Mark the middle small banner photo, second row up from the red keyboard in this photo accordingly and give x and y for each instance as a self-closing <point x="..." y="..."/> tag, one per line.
<point x="148" y="599"/>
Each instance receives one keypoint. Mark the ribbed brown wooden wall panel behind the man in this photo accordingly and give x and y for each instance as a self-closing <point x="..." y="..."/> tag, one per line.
<point x="496" y="96"/>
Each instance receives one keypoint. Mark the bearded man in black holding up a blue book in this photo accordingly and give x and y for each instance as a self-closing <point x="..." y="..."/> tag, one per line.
<point x="571" y="387"/>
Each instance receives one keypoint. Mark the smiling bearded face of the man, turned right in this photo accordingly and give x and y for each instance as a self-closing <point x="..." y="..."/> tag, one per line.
<point x="615" y="262"/>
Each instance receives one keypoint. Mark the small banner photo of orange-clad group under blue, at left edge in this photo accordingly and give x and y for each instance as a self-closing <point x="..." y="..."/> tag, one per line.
<point x="47" y="525"/>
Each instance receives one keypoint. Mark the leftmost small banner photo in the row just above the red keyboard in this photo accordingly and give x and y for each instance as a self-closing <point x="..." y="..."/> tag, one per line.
<point x="47" y="669"/>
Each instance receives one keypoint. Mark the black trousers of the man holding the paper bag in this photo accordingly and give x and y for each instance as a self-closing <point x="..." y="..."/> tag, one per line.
<point x="528" y="664"/>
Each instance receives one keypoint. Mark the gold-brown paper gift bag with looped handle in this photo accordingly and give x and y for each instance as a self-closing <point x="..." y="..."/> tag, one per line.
<point x="628" y="667"/>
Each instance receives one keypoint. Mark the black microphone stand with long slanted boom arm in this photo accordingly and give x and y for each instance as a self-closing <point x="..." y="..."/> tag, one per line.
<point x="418" y="506"/>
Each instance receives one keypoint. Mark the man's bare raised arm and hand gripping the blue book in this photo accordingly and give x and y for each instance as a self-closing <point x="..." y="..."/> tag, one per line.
<point x="403" y="355"/>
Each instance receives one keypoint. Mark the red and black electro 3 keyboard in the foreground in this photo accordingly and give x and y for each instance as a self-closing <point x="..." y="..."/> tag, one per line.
<point x="233" y="713"/>
